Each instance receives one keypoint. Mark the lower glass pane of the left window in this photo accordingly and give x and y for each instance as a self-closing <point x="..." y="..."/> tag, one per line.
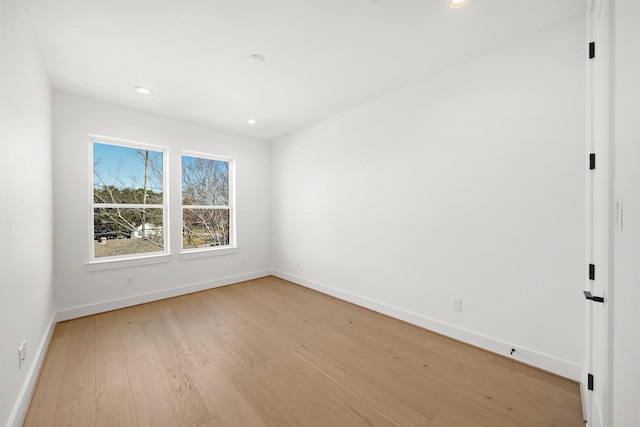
<point x="127" y="231"/>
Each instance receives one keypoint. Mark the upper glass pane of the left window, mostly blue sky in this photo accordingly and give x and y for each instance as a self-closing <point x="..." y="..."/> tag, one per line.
<point x="126" y="175"/>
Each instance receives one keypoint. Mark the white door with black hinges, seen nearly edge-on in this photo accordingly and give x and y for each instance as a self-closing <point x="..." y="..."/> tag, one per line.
<point x="599" y="239"/>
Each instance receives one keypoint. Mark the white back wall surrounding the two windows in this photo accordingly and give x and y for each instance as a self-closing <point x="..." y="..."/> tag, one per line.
<point x="80" y="291"/>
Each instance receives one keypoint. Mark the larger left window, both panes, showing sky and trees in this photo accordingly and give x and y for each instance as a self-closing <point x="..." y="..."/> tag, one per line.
<point x="129" y="211"/>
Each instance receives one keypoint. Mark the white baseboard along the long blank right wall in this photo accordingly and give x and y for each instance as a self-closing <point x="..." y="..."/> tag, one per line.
<point x="524" y="355"/>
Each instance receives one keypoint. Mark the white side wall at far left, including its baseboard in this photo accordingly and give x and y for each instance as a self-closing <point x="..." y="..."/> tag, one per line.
<point x="26" y="294"/>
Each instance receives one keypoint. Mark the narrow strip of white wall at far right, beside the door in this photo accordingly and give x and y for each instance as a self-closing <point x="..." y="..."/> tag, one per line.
<point x="626" y="292"/>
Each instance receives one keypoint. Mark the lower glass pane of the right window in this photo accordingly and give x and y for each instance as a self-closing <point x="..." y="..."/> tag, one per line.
<point x="205" y="227"/>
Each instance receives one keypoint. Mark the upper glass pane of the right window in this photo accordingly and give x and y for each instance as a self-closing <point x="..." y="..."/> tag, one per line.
<point x="205" y="181"/>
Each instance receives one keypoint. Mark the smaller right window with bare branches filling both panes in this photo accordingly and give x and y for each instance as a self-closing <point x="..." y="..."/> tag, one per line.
<point x="207" y="202"/>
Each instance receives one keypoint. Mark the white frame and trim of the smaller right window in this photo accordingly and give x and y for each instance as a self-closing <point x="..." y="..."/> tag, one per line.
<point x="188" y="253"/>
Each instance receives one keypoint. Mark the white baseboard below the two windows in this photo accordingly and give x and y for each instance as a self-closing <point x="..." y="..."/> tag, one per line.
<point x="101" y="307"/>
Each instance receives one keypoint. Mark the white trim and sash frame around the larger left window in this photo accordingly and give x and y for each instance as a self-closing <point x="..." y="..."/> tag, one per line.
<point x="122" y="261"/>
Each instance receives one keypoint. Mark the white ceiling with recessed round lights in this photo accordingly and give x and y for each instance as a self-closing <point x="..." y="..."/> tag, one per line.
<point x="322" y="56"/>
